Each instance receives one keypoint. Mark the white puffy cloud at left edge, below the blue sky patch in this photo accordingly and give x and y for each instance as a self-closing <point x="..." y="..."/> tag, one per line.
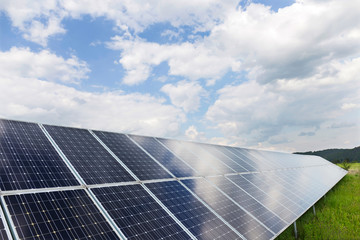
<point x="22" y="62"/>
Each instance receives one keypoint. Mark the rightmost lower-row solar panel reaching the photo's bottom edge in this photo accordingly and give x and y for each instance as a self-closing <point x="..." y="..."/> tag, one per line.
<point x="228" y="210"/>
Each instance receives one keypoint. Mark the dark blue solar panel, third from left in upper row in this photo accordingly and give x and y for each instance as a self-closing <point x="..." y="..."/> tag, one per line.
<point x="132" y="156"/>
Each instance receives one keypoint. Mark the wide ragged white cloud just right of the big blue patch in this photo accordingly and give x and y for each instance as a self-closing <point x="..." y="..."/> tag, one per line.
<point x="192" y="61"/>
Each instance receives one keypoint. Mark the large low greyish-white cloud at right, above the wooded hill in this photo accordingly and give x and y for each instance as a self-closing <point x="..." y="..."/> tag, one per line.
<point x="260" y="112"/>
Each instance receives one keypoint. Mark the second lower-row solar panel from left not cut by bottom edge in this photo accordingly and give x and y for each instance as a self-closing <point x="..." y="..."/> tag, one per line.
<point x="270" y="203"/>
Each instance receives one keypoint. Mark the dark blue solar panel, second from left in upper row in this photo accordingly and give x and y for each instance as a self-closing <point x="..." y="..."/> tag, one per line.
<point x="90" y="159"/>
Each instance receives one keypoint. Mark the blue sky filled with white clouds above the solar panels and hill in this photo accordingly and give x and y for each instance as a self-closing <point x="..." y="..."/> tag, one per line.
<point x="278" y="75"/>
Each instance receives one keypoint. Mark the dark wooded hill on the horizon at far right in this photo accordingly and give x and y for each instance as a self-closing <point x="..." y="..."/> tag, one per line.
<point x="337" y="155"/>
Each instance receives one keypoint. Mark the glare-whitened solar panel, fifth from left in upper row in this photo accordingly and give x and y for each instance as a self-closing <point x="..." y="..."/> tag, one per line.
<point x="180" y="150"/>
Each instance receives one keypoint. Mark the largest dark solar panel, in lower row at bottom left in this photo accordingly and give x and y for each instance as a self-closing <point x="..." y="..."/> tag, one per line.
<point x="58" y="215"/>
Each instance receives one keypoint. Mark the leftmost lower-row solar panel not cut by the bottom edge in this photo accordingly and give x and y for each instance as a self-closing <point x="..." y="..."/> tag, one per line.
<point x="270" y="219"/>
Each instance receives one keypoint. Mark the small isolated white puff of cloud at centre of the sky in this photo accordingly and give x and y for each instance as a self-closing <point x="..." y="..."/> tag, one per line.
<point x="186" y="95"/>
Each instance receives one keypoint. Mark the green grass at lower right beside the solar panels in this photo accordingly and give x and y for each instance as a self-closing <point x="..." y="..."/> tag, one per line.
<point x="337" y="215"/>
